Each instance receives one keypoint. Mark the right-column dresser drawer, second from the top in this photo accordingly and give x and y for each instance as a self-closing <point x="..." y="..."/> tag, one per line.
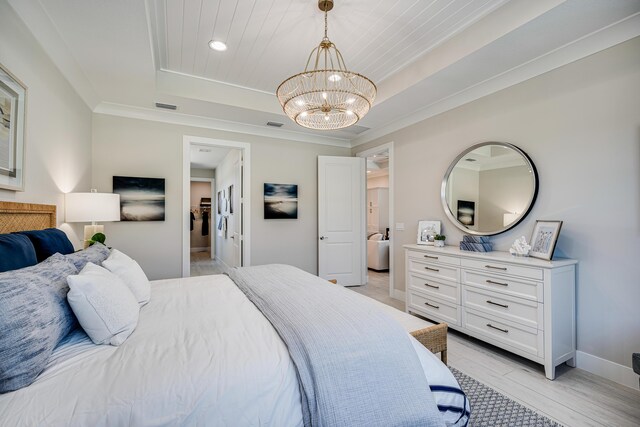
<point x="505" y="284"/>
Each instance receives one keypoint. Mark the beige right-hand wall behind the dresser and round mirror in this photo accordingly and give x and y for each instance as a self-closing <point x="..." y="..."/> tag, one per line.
<point x="580" y="124"/>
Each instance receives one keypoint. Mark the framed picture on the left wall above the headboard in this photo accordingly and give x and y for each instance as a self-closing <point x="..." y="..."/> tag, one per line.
<point x="13" y="96"/>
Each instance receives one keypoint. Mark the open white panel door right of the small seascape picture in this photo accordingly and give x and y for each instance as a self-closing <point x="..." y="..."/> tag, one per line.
<point x="341" y="219"/>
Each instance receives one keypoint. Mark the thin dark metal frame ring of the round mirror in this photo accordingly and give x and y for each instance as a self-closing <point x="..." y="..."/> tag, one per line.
<point x="523" y="215"/>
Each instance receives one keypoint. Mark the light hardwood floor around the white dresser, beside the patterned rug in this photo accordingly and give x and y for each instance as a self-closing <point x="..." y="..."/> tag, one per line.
<point x="575" y="398"/>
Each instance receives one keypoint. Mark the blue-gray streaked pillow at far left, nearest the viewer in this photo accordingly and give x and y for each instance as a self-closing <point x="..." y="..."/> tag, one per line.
<point x="34" y="318"/>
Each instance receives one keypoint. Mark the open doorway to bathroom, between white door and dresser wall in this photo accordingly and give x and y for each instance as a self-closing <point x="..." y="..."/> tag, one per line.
<point x="379" y="214"/>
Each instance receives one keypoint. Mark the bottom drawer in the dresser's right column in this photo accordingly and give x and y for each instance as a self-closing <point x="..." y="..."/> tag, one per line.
<point x="528" y="340"/>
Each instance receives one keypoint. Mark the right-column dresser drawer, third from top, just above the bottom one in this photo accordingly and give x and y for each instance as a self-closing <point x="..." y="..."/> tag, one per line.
<point x="495" y="305"/>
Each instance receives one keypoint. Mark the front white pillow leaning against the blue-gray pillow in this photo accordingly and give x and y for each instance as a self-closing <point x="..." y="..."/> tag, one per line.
<point x="103" y="304"/>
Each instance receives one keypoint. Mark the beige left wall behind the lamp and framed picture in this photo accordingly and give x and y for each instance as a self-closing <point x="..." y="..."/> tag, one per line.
<point x="58" y="132"/>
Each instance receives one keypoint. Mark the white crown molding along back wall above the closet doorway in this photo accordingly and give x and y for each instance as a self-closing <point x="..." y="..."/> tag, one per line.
<point x="141" y="113"/>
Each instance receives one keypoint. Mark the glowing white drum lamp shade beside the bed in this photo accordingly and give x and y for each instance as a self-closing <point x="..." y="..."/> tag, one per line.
<point x="92" y="207"/>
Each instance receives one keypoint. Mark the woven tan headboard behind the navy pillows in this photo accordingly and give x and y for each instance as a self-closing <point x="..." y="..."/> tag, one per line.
<point x="26" y="216"/>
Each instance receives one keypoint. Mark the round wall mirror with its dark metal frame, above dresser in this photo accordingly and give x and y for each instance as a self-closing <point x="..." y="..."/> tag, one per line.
<point x="489" y="188"/>
